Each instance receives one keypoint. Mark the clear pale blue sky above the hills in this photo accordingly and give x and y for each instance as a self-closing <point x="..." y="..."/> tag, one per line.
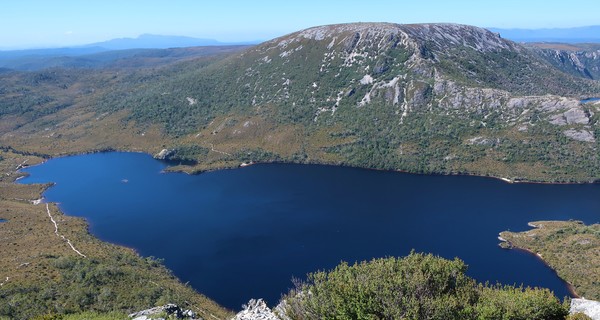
<point x="43" y="23"/>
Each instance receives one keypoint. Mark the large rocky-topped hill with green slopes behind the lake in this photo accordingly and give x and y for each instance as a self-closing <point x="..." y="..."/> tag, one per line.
<point x="423" y="98"/>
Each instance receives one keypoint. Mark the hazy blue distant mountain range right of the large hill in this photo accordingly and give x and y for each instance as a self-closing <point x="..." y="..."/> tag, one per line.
<point x="590" y="34"/>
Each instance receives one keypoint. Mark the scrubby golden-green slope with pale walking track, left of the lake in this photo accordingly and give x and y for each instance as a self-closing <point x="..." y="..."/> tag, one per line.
<point x="41" y="276"/>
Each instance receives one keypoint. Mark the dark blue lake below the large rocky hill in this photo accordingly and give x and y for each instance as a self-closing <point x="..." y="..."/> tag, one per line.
<point x="244" y="233"/>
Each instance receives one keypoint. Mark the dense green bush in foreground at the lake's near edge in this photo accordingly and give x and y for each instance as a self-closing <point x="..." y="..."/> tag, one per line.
<point x="415" y="287"/>
